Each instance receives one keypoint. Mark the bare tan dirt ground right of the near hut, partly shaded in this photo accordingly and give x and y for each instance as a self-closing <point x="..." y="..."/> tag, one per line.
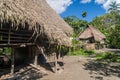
<point x="84" y="68"/>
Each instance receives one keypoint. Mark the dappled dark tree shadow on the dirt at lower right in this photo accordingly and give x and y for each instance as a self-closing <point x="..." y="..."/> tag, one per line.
<point x="102" y="68"/>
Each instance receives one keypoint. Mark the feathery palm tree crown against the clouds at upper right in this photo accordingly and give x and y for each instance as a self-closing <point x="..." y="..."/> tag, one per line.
<point x="114" y="7"/>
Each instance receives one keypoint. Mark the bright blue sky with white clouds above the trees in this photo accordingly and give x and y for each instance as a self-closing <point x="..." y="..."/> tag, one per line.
<point x="75" y="7"/>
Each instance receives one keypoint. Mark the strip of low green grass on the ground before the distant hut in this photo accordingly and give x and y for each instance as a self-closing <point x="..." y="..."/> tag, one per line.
<point x="103" y="56"/>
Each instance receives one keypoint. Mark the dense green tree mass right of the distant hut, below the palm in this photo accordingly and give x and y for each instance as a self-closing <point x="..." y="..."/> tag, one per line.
<point x="110" y="26"/>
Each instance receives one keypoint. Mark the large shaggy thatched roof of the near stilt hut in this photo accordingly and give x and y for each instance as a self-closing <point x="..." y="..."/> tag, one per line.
<point x="40" y="18"/>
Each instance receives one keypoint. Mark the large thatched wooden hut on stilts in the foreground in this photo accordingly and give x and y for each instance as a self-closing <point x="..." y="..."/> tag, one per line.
<point x="27" y="24"/>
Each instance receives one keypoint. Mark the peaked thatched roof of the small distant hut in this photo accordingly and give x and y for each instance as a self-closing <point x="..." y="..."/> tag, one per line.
<point x="90" y="32"/>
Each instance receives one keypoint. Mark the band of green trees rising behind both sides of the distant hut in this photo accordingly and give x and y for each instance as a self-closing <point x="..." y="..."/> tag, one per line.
<point x="108" y="24"/>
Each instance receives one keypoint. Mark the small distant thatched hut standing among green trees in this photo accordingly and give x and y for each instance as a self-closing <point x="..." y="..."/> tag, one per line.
<point x="91" y="37"/>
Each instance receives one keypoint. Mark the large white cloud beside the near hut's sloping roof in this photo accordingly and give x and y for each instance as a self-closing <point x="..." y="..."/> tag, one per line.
<point x="59" y="5"/>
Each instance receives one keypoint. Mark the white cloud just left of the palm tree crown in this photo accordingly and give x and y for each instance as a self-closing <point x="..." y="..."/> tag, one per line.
<point x="106" y="3"/>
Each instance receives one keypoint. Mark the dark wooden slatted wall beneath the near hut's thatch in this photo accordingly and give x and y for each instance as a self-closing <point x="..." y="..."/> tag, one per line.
<point x="12" y="36"/>
